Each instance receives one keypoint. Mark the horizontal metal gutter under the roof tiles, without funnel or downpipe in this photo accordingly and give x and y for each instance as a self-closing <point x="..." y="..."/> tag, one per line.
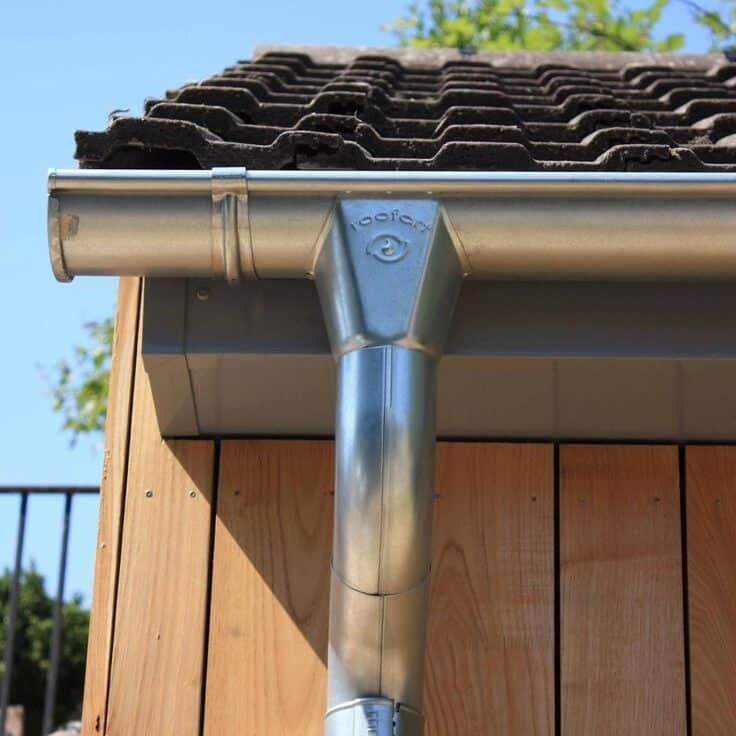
<point x="513" y="226"/>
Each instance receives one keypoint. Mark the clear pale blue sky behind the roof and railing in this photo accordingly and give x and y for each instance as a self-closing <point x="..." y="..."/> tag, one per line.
<point x="66" y="66"/>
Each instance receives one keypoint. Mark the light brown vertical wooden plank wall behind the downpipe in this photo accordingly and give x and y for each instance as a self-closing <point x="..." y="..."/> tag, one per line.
<point x="559" y="603"/>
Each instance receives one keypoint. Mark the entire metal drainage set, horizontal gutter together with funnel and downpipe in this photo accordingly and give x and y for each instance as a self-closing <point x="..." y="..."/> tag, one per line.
<point x="388" y="251"/>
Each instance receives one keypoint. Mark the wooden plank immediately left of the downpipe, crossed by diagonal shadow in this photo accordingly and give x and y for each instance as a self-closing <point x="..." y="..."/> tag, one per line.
<point x="270" y="589"/>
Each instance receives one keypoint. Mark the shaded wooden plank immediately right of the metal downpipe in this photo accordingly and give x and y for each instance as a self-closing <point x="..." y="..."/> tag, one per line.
<point x="490" y="653"/>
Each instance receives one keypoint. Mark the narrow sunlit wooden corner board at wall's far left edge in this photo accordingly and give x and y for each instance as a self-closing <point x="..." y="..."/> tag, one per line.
<point x="115" y="456"/>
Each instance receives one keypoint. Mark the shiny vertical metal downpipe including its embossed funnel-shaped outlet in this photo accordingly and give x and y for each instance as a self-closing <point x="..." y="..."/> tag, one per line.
<point x="388" y="277"/>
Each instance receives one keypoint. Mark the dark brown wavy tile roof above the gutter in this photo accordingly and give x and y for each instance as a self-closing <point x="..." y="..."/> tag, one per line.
<point x="335" y="108"/>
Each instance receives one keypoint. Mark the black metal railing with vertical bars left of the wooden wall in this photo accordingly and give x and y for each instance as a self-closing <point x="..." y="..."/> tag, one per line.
<point x="68" y="492"/>
